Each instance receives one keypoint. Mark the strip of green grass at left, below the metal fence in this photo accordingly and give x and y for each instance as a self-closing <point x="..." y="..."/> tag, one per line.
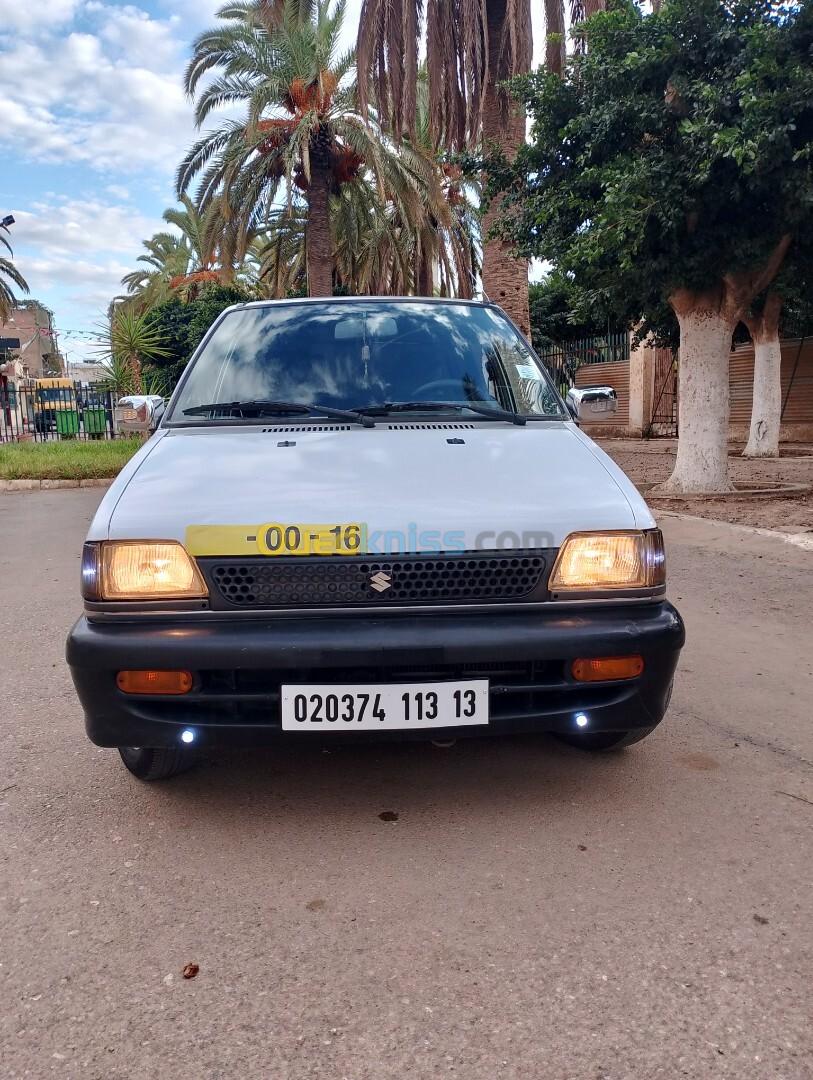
<point x="67" y="460"/>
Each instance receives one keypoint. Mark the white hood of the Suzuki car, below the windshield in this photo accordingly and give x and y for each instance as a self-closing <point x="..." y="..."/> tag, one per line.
<point x="418" y="487"/>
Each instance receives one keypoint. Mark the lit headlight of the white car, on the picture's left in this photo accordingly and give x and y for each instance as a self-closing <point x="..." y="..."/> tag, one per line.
<point x="140" y="570"/>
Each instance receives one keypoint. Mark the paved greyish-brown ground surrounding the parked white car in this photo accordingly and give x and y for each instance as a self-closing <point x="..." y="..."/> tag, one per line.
<point x="532" y="914"/>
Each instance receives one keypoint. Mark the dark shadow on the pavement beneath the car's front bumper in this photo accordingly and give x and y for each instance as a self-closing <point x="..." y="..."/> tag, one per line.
<point x="476" y="777"/>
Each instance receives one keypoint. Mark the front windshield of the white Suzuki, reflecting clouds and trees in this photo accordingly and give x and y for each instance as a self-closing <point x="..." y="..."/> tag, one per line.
<point x="368" y="355"/>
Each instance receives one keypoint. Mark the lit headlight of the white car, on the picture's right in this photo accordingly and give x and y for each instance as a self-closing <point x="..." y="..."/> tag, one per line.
<point x="613" y="561"/>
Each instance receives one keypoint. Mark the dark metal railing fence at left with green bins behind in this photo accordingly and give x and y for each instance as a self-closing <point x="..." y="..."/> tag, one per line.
<point x="48" y="413"/>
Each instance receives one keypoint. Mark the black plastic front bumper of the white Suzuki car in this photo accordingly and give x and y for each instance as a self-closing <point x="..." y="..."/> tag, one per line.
<point x="240" y="665"/>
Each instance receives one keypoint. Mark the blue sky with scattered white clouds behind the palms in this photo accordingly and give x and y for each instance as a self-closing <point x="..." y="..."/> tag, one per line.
<point x="93" y="123"/>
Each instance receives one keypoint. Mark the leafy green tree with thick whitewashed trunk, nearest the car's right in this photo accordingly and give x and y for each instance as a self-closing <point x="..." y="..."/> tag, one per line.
<point x="673" y="165"/>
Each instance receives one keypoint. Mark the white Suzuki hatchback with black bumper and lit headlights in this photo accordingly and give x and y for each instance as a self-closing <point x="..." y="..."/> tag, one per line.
<point x="371" y="517"/>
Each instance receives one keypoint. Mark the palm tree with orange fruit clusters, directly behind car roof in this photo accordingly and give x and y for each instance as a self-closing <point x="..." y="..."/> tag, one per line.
<point x="303" y="130"/>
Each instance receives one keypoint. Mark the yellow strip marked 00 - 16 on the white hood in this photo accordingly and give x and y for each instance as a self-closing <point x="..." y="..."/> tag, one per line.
<point x="277" y="538"/>
